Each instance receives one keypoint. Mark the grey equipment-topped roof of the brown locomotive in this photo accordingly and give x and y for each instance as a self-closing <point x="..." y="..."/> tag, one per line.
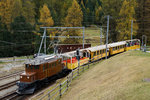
<point x="42" y="59"/>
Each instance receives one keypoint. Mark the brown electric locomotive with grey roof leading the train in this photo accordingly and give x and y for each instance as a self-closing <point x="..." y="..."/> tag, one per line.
<point x="37" y="71"/>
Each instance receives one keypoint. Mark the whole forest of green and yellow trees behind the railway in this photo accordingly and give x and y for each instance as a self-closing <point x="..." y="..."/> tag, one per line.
<point x="20" y="21"/>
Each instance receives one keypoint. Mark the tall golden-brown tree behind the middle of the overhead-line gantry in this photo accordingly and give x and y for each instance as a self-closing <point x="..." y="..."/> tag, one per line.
<point x="74" y="18"/>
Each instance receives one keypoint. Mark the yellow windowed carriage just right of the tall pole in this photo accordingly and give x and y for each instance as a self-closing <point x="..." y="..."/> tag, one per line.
<point x="117" y="47"/>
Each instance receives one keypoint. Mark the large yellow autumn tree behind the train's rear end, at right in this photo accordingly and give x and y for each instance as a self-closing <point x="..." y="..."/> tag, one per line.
<point x="126" y="14"/>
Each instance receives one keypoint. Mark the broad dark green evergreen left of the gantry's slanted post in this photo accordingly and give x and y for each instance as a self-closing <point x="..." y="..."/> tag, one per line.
<point x="22" y="36"/>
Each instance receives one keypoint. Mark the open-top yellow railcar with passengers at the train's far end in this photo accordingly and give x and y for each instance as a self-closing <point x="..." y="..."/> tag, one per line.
<point x="132" y="44"/>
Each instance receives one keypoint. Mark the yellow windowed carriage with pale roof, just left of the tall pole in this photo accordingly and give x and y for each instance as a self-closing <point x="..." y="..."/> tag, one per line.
<point x="97" y="52"/>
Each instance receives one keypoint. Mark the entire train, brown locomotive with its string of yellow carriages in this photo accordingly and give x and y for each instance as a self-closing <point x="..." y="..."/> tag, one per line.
<point x="42" y="68"/>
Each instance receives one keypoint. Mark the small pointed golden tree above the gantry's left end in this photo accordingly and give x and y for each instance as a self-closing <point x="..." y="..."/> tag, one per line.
<point x="45" y="17"/>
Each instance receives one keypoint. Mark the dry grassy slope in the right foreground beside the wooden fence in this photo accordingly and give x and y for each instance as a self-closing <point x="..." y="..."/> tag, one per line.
<point x="121" y="77"/>
